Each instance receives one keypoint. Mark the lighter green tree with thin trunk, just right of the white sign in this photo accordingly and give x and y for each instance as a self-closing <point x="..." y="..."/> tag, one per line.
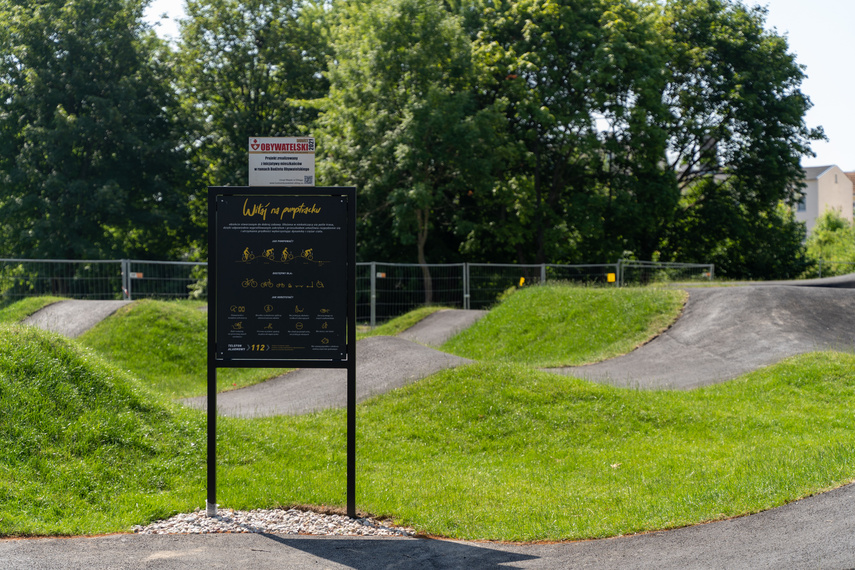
<point x="402" y="124"/>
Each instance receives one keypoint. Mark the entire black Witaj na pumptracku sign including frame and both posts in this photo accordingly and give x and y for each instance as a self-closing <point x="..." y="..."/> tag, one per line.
<point x="303" y="313"/>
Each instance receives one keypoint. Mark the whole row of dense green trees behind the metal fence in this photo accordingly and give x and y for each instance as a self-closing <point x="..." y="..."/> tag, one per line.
<point x="475" y="130"/>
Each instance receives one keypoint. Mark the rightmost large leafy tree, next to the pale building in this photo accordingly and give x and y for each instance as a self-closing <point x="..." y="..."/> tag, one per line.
<point x="736" y="137"/>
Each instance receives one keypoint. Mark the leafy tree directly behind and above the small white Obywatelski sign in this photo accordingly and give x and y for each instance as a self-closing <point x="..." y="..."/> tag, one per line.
<point x="249" y="68"/>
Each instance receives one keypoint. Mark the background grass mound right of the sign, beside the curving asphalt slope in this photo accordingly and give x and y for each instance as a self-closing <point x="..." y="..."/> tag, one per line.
<point x="557" y="325"/>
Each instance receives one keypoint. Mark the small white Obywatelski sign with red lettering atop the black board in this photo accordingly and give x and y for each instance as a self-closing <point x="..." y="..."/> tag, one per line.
<point x="281" y="161"/>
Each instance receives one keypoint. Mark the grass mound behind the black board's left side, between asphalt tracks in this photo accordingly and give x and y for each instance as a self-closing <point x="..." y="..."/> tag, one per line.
<point x="164" y="344"/>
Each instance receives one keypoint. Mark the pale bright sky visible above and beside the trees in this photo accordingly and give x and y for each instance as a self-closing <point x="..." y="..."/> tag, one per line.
<point x="819" y="34"/>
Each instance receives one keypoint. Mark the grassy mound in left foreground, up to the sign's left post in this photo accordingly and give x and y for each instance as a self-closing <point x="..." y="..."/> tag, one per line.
<point x="83" y="448"/>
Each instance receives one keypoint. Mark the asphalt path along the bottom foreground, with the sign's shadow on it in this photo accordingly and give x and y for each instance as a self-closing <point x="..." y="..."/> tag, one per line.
<point x="818" y="532"/>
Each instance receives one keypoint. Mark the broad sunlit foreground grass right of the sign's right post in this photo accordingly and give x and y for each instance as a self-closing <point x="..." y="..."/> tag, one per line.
<point x="505" y="452"/>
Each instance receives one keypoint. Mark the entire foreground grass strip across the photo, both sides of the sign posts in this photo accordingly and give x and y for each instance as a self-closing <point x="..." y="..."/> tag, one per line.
<point x="488" y="451"/>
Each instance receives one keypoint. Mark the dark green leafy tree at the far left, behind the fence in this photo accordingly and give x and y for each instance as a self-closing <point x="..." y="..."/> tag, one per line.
<point x="88" y="159"/>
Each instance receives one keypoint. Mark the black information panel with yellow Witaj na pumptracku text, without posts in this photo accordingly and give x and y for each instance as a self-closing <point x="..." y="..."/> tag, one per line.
<point x="281" y="289"/>
